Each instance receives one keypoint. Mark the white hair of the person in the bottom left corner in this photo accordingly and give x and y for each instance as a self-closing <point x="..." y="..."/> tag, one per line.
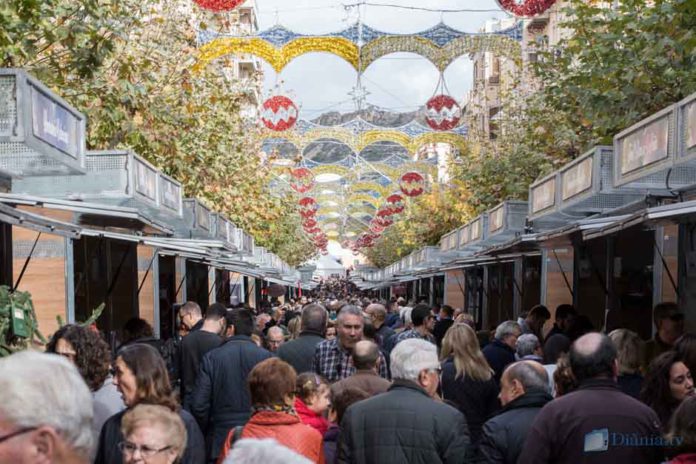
<point x="41" y="389"/>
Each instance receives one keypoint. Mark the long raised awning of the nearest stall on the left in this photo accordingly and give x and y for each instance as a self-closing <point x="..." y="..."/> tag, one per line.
<point x="94" y="215"/>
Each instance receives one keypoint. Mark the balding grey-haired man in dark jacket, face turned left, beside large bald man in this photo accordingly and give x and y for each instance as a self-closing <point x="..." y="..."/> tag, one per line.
<point x="524" y="390"/>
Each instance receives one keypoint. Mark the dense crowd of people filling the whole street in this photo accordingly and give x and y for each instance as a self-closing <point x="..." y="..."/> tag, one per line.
<point x="336" y="377"/>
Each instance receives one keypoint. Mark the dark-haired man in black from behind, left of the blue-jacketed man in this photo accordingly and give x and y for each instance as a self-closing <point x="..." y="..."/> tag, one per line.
<point x="198" y="343"/>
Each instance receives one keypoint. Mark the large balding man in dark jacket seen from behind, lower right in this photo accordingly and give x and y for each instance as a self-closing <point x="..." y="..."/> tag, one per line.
<point x="597" y="423"/>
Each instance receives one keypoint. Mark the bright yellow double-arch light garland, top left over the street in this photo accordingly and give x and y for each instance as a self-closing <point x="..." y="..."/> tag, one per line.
<point x="277" y="58"/>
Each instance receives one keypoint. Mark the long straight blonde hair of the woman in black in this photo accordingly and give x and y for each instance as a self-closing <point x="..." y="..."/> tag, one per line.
<point x="461" y="343"/>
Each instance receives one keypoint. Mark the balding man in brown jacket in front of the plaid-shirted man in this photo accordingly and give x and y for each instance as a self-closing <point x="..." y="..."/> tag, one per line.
<point x="366" y="361"/>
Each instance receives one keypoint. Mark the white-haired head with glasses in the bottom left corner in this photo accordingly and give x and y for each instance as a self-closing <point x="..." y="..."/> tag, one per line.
<point x="45" y="412"/>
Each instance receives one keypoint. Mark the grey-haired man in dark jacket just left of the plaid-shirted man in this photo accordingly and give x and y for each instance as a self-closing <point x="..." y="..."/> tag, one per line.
<point x="300" y="352"/>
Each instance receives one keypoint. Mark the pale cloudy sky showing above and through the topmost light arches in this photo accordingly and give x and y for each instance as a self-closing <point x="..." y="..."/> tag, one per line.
<point x="320" y="82"/>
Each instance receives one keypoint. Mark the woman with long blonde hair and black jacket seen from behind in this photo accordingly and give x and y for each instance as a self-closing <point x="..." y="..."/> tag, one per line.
<point x="467" y="379"/>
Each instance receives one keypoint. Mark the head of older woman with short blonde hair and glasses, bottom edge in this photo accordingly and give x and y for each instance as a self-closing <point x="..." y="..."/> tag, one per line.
<point x="153" y="435"/>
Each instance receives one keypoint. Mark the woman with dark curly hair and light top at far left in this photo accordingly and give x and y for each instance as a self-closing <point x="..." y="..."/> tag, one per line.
<point x="90" y="354"/>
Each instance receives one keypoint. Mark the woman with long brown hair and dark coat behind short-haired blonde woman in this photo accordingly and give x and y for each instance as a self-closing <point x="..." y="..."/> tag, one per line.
<point x="140" y="374"/>
